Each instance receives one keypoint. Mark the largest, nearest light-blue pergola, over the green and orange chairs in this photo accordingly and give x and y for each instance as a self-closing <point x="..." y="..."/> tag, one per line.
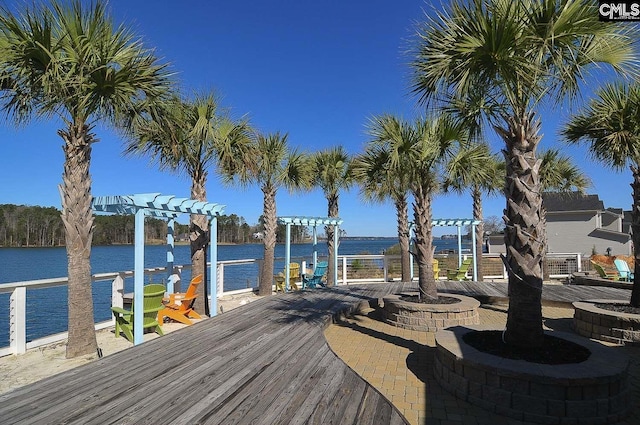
<point x="163" y="206"/>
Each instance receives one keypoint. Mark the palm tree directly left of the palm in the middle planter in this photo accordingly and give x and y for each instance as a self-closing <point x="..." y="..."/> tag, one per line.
<point x="378" y="183"/>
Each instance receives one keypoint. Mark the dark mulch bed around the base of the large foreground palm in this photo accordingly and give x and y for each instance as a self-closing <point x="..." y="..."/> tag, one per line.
<point x="554" y="350"/>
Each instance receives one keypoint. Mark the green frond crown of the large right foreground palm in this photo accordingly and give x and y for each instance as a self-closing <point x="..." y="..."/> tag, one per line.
<point x="516" y="53"/>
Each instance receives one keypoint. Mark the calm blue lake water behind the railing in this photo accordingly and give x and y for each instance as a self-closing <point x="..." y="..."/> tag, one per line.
<point x="47" y="308"/>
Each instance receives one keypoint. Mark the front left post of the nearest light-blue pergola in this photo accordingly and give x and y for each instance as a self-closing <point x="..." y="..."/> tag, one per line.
<point x="138" y="279"/>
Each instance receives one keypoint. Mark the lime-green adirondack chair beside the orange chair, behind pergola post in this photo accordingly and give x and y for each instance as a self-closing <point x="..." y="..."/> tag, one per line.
<point x="153" y="295"/>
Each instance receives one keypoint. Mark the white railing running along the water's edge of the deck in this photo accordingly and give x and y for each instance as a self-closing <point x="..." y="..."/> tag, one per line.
<point x="351" y="269"/>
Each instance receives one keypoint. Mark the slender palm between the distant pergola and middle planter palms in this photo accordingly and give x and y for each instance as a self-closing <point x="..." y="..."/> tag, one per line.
<point x="332" y="172"/>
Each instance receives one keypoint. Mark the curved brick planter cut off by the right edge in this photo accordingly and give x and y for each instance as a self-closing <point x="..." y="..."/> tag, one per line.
<point x="605" y="325"/>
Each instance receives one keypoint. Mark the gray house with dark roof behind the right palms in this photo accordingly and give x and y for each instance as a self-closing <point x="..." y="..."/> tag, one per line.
<point x="580" y="223"/>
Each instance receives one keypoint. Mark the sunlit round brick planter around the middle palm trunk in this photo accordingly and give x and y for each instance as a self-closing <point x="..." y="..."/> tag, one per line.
<point x="430" y="317"/>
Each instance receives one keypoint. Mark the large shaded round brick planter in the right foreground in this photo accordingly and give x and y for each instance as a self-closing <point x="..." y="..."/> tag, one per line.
<point x="591" y="392"/>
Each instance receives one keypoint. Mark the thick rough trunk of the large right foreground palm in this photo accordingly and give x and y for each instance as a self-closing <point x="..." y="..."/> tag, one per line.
<point x="524" y="233"/>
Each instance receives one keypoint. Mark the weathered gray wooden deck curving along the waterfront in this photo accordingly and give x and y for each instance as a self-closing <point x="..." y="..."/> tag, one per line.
<point x="264" y="363"/>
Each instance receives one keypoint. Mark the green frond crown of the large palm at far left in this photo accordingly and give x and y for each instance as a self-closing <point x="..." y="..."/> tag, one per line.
<point x="67" y="59"/>
